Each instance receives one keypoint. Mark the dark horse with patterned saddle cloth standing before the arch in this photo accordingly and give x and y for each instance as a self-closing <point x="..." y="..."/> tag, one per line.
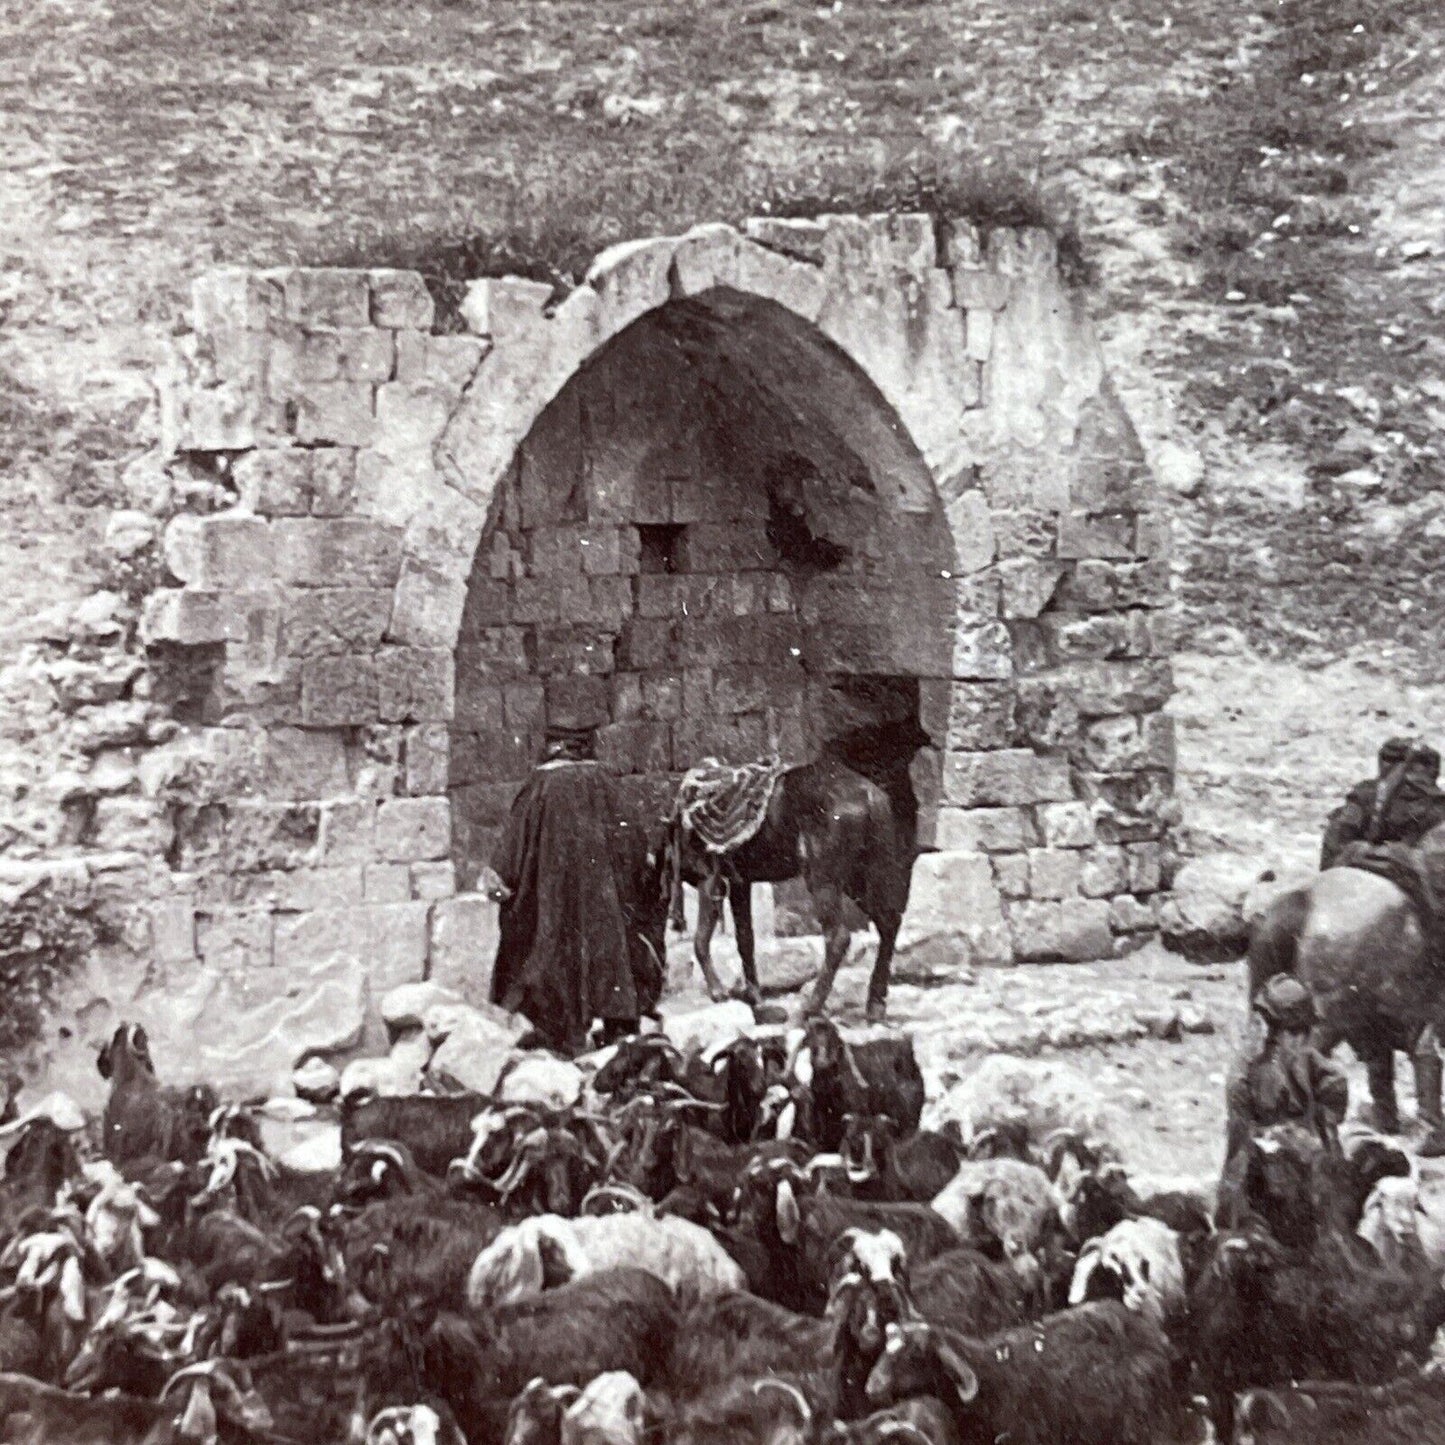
<point x="846" y="834"/>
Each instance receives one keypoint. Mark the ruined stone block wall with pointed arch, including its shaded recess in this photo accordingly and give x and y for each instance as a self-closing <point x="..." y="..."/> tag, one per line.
<point x="389" y="556"/>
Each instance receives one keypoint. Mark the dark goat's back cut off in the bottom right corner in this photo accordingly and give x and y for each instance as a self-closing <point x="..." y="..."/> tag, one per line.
<point x="1314" y="1414"/>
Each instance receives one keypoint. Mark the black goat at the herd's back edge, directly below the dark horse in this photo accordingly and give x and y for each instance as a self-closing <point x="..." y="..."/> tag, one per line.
<point x="875" y="1077"/>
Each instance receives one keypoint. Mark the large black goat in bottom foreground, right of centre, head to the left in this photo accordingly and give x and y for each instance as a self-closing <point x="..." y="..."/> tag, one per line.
<point x="1099" y="1373"/>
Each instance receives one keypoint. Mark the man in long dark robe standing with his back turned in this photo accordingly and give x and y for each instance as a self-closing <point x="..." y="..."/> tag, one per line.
<point x="582" y="913"/>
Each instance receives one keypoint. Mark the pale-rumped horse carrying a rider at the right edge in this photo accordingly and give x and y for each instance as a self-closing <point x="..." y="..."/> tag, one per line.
<point x="1360" y="947"/>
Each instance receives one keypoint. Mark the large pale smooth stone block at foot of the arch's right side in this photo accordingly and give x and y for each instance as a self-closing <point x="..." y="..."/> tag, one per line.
<point x="954" y="917"/>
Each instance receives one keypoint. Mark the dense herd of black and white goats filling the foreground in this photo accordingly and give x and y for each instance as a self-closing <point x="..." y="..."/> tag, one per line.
<point x="751" y="1243"/>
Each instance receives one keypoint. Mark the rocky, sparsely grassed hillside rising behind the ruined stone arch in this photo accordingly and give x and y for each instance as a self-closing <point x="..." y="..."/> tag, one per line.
<point x="1258" y="187"/>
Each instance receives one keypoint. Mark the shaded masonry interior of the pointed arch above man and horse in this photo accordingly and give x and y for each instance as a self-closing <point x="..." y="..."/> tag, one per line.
<point x="717" y="538"/>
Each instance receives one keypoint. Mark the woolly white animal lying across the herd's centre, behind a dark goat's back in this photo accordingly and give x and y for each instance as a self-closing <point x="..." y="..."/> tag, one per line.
<point x="678" y="1252"/>
